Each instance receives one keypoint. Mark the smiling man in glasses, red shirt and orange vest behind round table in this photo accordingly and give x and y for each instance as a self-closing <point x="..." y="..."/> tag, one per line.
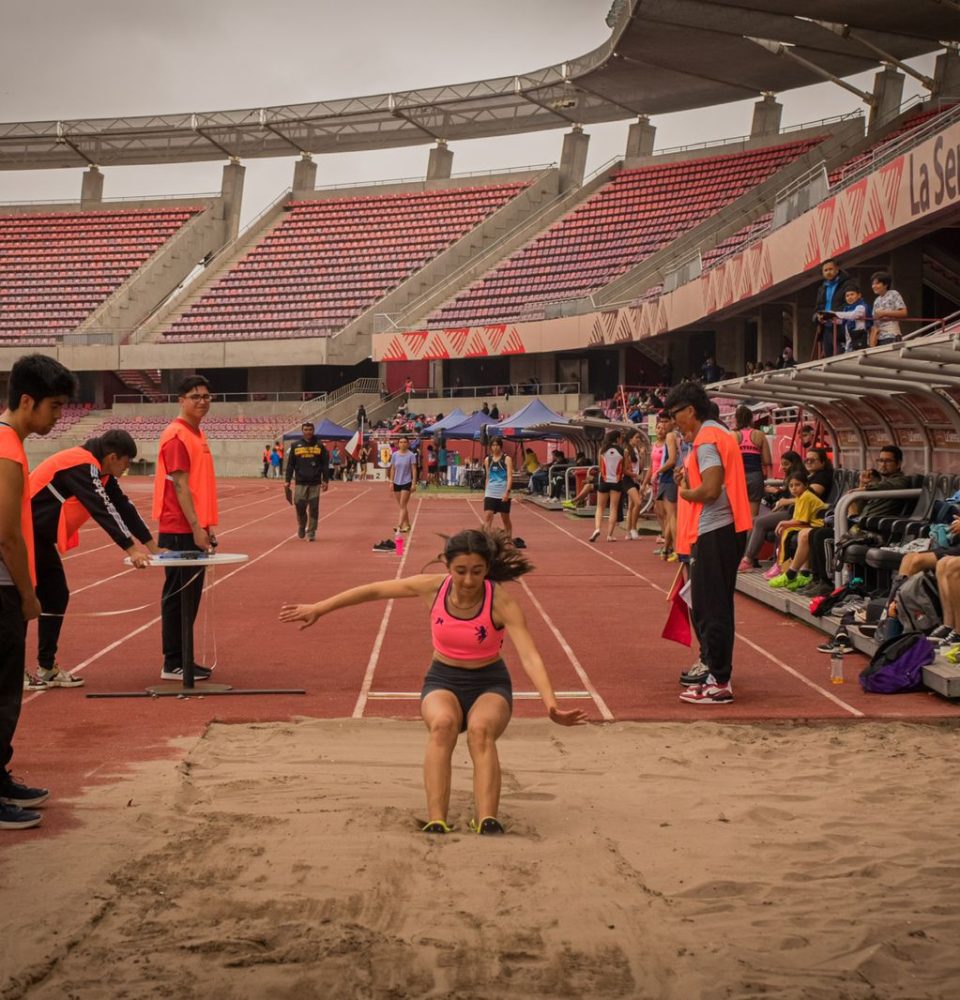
<point x="185" y="505"/>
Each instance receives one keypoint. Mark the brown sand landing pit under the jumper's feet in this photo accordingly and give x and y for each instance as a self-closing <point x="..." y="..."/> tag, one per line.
<point x="642" y="860"/>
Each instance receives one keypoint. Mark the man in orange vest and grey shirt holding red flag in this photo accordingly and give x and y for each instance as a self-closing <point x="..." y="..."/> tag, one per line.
<point x="713" y="518"/>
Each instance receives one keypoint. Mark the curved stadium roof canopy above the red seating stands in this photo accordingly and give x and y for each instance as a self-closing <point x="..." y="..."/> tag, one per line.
<point x="662" y="56"/>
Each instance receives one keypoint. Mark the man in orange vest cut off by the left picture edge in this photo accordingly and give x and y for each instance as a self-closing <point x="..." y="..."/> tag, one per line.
<point x="38" y="390"/>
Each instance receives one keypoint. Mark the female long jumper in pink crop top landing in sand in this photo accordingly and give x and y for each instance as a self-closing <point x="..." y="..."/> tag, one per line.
<point x="467" y="686"/>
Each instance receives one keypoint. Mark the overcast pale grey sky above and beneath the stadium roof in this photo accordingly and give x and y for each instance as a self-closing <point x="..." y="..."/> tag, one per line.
<point x="63" y="59"/>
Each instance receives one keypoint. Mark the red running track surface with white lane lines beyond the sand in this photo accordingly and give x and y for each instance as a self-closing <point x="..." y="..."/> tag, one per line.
<point x="595" y="611"/>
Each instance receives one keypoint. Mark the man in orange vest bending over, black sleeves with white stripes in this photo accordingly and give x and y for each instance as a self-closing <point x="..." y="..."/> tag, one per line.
<point x="66" y="490"/>
